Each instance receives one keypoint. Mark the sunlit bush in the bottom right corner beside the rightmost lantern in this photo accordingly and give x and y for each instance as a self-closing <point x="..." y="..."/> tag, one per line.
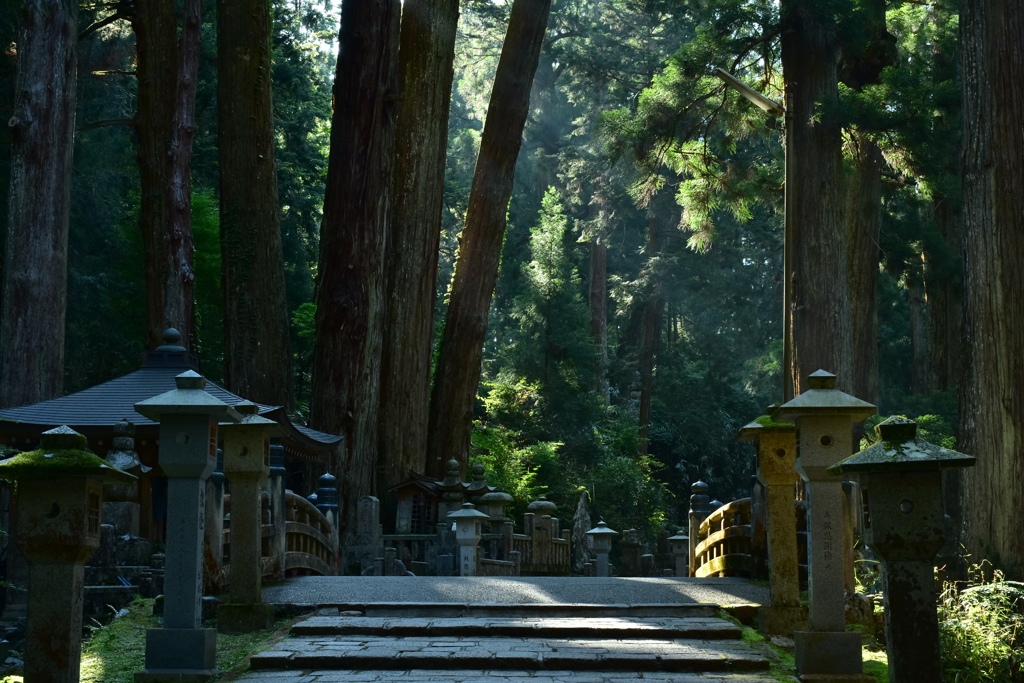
<point x="983" y="629"/>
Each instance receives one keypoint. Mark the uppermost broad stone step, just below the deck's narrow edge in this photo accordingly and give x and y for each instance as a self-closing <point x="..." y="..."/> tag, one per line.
<point x="703" y="628"/>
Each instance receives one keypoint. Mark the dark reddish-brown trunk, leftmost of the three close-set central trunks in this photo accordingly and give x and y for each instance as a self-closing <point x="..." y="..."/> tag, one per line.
<point x="357" y="211"/>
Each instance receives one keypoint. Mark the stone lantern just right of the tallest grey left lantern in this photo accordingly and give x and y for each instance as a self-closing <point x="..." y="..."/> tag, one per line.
<point x="247" y="464"/>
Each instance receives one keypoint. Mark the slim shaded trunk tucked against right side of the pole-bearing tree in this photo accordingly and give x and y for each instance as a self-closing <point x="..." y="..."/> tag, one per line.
<point x="864" y="221"/>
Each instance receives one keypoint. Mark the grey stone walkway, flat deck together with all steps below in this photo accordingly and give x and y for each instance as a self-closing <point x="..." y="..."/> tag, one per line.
<point x="537" y="630"/>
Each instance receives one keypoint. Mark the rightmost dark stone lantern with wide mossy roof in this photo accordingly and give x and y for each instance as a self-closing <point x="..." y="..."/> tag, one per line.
<point x="903" y="479"/>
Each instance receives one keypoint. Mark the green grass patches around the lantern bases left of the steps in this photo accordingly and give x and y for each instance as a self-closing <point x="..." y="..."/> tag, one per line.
<point x="117" y="651"/>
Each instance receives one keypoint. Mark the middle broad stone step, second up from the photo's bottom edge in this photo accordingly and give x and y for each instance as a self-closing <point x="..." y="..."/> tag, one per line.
<point x="503" y="654"/>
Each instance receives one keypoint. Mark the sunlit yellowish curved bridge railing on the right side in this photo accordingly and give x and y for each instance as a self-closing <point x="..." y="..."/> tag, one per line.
<point x="724" y="542"/>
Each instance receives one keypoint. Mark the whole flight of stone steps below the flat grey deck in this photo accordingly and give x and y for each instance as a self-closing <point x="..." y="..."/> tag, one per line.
<point x="413" y="643"/>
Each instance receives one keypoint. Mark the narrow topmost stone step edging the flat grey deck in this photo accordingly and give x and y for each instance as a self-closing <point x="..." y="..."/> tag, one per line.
<point x="485" y="610"/>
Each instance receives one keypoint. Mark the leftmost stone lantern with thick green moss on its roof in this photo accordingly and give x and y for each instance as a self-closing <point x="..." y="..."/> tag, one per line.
<point x="60" y="496"/>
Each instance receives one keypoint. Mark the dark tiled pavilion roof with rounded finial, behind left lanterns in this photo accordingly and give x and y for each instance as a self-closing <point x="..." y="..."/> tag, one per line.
<point x="94" y="412"/>
